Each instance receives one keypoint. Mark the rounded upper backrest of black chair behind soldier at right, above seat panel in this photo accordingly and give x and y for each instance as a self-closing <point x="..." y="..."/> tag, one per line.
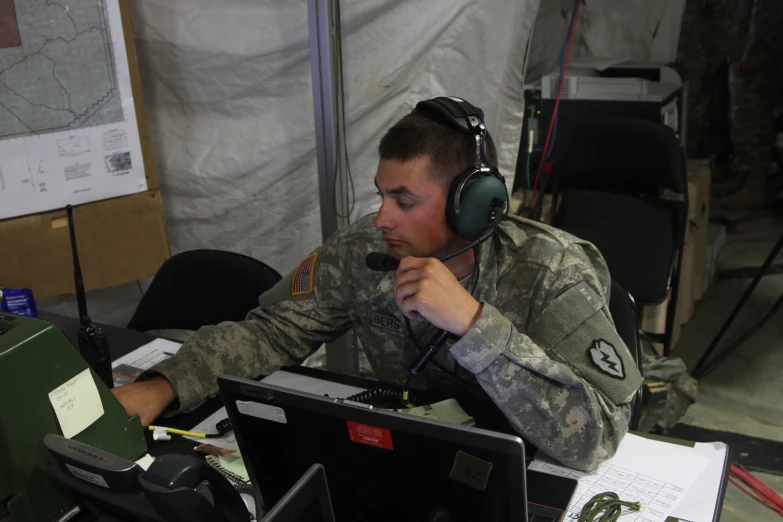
<point x="623" y="156"/>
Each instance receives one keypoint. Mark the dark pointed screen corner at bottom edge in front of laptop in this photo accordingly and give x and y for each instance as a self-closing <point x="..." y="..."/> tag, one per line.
<point x="307" y="501"/>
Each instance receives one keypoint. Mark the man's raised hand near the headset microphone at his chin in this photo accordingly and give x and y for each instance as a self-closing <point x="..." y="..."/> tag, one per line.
<point x="425" y="286"/>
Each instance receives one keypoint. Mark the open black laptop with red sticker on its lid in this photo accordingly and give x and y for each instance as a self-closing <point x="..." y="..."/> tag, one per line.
<point x="380" y="465"/>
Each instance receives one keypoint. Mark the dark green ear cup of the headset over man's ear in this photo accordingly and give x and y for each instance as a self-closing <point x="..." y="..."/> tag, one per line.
<point x="476" y="206"/>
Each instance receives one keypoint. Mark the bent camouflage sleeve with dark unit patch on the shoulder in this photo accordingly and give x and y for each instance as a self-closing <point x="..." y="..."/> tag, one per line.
<point x="566" y="384"/>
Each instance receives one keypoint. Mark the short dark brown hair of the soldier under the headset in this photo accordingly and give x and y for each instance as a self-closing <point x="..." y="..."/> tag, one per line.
<point x="420" y="134"/>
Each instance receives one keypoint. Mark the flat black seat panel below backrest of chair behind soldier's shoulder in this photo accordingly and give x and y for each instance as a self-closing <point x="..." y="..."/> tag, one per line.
<point x="639" y="237"/>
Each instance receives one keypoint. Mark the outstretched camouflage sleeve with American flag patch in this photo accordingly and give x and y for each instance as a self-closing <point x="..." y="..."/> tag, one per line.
<point x="305" y="309"/>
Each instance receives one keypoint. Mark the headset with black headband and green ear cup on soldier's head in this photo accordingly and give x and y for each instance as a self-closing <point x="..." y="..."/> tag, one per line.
<point x="478" y="197"/>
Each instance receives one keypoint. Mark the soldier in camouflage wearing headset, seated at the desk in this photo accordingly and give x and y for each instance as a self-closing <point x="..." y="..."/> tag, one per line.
<point x="525" y="311"/>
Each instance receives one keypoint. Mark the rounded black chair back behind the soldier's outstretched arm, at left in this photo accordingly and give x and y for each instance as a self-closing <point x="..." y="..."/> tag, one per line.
<point x="202" y="287"/>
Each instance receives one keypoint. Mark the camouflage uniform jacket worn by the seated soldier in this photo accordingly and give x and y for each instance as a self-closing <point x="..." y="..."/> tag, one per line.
<point x="544" y="347"/>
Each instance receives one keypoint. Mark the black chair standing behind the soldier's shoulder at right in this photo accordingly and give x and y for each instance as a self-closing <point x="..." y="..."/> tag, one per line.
<point x="611" y="179"/>
